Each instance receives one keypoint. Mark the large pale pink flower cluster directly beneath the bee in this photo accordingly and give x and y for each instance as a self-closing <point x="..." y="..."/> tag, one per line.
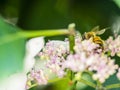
<point x="86" y="58"/>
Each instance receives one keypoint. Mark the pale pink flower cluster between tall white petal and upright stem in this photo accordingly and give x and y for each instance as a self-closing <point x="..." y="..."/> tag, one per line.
<point x="55" y="55"/>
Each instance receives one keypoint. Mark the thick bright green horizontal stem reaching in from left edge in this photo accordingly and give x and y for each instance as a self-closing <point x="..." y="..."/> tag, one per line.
<point x="29" y="34"/>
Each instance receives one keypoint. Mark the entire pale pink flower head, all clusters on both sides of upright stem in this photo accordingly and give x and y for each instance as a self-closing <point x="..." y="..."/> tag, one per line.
<point x="88" y="56"/>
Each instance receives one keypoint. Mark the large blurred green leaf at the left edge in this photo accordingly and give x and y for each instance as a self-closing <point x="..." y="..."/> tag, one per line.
<point x="12" y="52"/>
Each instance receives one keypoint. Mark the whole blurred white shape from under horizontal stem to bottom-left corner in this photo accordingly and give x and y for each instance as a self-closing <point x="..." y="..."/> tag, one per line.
<point x="17" y="81"/>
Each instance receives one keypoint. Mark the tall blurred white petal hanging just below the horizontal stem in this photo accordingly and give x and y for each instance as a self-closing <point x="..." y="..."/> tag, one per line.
<point x="33" y="46"/>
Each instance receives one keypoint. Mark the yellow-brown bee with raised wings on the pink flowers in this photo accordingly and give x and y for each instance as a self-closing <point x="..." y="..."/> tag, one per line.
<point x="93" y="35"/>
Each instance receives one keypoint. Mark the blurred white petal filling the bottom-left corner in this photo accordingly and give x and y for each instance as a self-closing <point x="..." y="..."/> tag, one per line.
<point x="14" y="82"/>
